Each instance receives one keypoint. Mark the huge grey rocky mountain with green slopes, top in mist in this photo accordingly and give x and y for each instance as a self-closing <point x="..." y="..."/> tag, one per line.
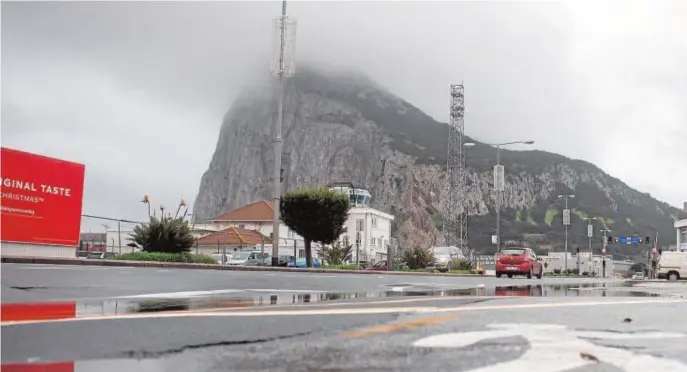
<point x="344" y="127"/>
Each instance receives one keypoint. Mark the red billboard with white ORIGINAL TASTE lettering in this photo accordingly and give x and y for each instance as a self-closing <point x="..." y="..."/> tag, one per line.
<point x="41" y="199"/>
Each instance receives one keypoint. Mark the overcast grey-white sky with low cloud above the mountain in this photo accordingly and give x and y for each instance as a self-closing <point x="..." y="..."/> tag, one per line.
<point x="137" y="91"/>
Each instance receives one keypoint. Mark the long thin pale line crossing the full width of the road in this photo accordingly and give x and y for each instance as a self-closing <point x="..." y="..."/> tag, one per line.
<point x="352" y="311"/>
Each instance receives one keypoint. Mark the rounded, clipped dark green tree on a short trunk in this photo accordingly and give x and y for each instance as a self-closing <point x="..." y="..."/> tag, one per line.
<point x="318" y="215"/>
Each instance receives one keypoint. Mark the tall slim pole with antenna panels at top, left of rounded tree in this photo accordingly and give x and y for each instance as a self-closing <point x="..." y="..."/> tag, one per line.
<point x="284" y="68"/>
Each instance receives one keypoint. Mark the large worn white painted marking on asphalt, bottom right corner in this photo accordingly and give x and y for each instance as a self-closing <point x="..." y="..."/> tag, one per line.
<point x="555" y="348"/>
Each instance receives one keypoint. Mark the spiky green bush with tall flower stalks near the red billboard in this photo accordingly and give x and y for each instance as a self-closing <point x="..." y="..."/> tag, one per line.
<point x="165" y="234"/>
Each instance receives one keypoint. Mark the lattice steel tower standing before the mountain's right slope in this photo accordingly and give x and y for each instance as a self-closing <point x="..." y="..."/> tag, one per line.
<point x="455" y="217"/>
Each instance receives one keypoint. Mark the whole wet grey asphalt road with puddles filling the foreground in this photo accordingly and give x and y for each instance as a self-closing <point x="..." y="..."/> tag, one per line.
<point x="394" y="325"/>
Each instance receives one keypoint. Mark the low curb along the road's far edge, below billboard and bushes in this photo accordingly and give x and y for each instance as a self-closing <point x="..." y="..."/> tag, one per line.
<point x="180" y="265"/>
